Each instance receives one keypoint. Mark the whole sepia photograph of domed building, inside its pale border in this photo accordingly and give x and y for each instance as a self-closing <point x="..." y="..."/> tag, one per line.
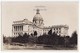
<point x="39" y="25"/>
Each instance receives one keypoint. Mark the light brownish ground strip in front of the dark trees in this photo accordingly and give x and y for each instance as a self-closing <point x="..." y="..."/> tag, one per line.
<point x="36" y="47"/>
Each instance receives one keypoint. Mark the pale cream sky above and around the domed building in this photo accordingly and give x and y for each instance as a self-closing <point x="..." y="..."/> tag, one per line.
<point x="56" y="13"/>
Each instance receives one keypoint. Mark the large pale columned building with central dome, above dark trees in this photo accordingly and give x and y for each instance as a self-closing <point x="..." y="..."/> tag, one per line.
<point x="26" y="26"/>
